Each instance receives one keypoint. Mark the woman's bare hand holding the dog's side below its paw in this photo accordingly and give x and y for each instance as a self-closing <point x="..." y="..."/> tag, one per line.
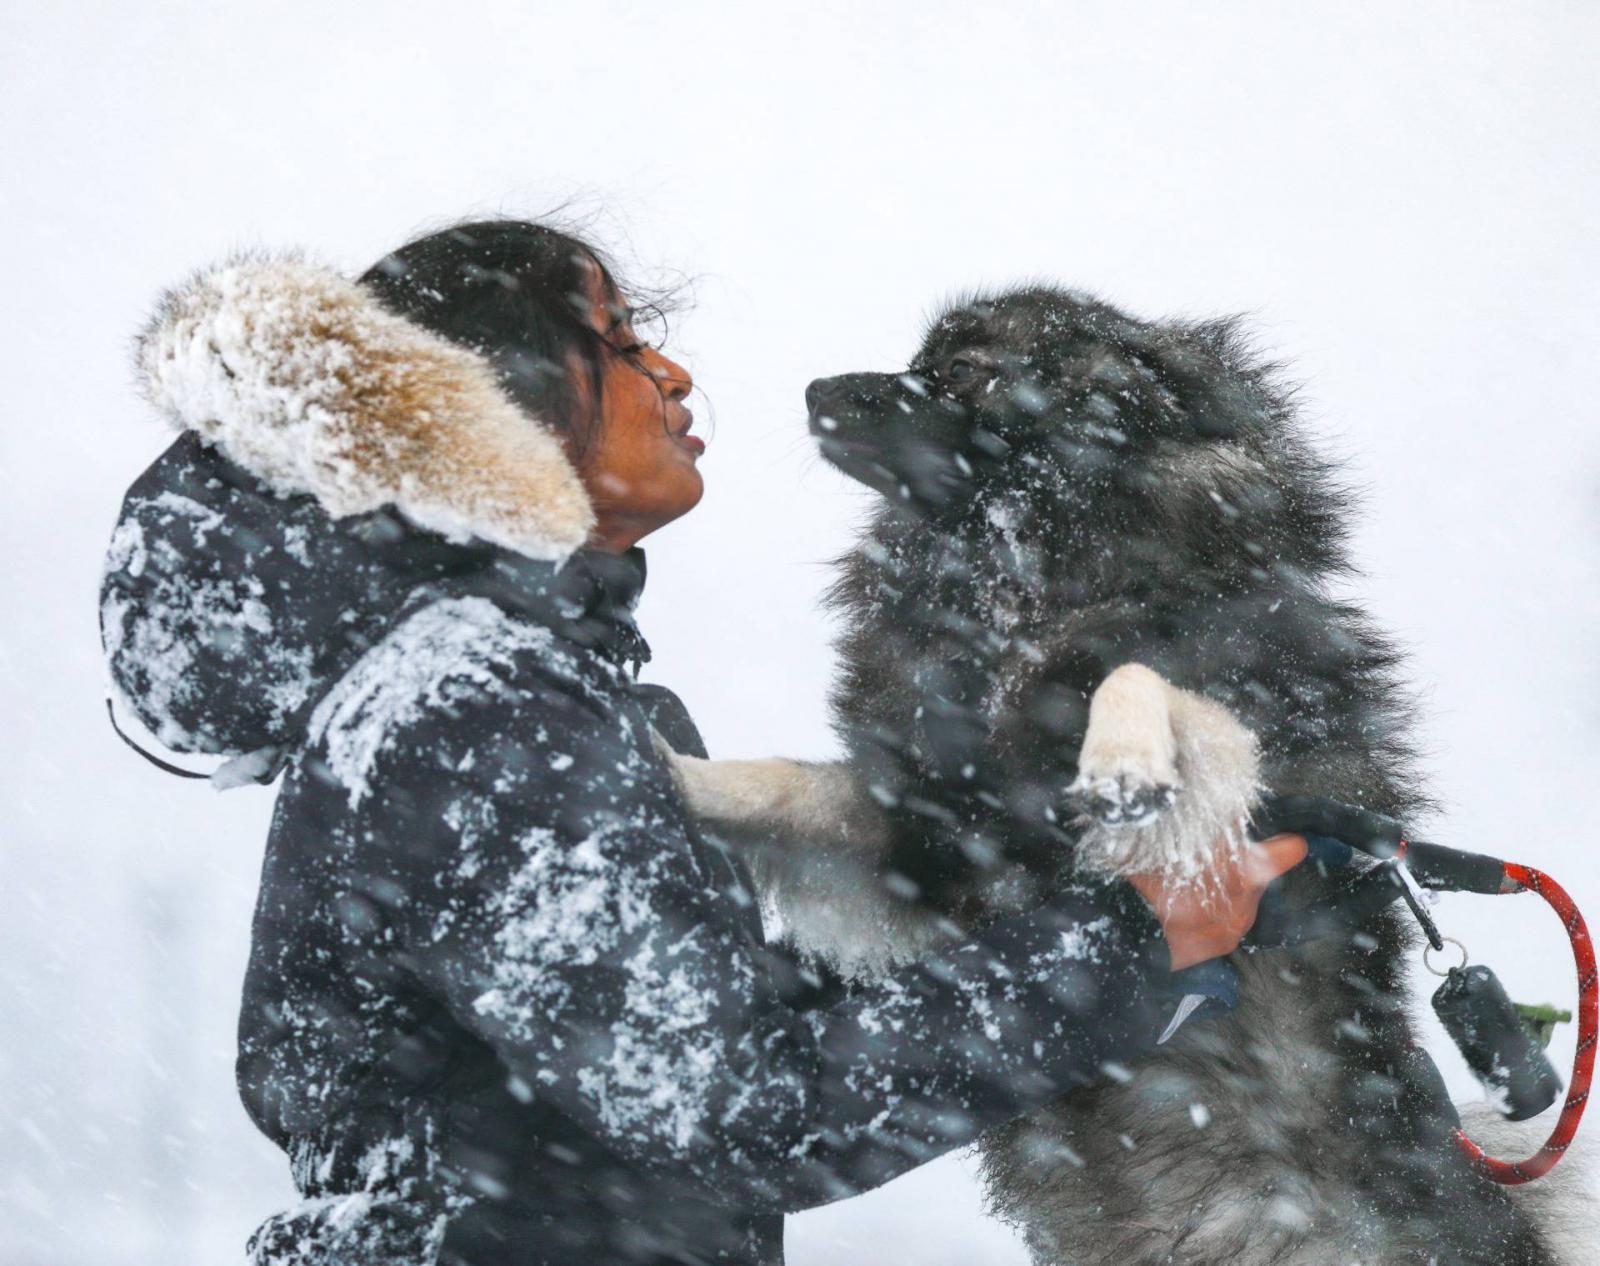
<point x="1206" y="921"/>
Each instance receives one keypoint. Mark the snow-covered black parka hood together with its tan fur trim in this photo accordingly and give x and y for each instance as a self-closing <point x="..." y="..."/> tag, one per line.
<point x="334" y="462"/>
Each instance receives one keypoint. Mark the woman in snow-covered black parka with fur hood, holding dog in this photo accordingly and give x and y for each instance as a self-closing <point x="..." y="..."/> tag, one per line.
<point x="505" y="1003"/>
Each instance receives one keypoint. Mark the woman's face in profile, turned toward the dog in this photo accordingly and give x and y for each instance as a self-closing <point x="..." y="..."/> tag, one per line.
<point x="642" y="471"/>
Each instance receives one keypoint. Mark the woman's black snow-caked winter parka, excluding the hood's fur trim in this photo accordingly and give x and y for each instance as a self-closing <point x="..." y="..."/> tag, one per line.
<point x="506" y="1004"/>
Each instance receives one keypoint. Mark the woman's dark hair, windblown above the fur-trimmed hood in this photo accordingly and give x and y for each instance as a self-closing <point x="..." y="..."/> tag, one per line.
<point x="516" y="292"/>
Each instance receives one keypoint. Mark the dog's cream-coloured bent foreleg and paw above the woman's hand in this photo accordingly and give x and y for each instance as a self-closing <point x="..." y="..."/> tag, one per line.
<point x="1164" y="777"/>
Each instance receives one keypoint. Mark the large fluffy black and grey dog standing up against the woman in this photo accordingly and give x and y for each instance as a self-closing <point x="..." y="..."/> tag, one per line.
<point x="1092" y="620"/>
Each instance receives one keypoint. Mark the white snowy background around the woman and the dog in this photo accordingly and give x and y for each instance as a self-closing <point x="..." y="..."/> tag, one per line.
<point x="1406" y="196"/>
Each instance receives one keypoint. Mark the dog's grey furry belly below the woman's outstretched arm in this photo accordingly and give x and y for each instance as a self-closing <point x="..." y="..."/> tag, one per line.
<point x="1214" y="1153"/>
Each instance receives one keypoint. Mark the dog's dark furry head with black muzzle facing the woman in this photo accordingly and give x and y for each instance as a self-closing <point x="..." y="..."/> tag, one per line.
<point x="1042" y="377"/>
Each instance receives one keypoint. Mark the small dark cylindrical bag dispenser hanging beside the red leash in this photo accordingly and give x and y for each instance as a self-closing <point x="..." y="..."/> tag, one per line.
<point x="1492" y="1038"/>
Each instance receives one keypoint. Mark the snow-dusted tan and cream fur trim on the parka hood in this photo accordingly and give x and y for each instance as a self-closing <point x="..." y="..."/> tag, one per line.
<point x="313" y="387"/>
